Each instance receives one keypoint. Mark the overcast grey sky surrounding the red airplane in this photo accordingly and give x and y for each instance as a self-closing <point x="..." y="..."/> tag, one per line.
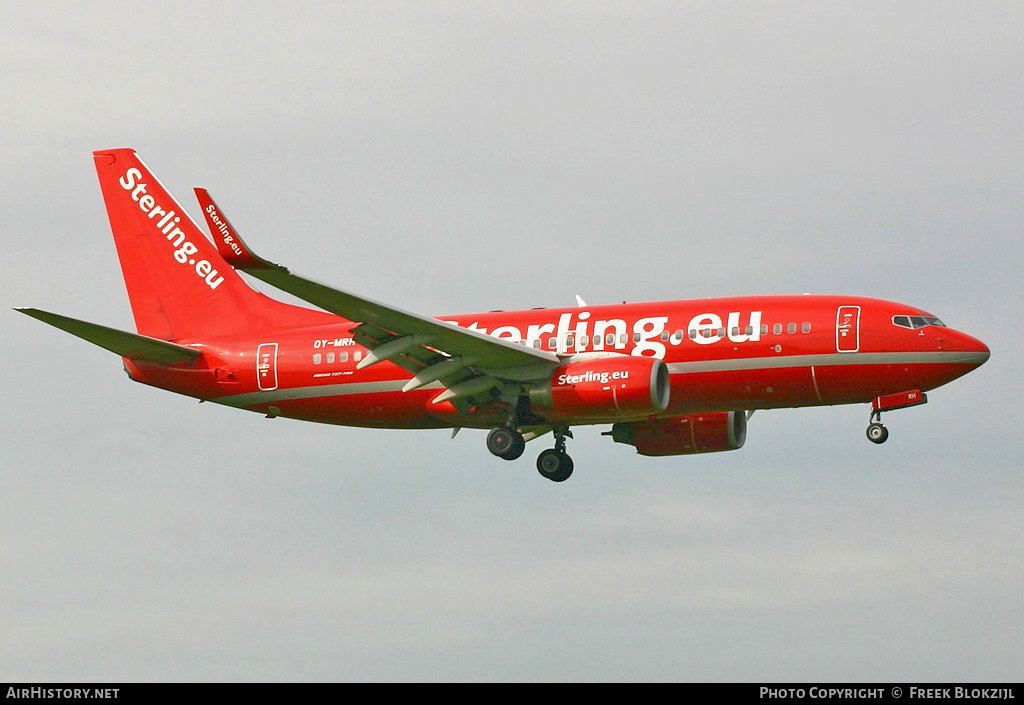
<point x="455" y="157"/>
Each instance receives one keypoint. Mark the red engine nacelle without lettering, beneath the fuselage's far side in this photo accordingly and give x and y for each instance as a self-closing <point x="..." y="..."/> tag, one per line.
<point x="721" y="431"/>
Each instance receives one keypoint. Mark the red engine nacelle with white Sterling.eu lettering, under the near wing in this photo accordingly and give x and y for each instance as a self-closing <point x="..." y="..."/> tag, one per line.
<point x="616" y="387"/>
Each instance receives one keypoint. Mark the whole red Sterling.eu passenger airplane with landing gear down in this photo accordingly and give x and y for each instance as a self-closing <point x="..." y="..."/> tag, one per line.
<point x="672" y="378"/>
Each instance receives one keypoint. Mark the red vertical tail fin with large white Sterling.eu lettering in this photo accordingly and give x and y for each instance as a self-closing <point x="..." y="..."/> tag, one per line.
<point x="179" y="284"/>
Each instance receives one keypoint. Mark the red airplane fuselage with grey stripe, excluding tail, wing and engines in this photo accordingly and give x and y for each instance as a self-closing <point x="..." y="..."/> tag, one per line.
<point x="723" y="354"/>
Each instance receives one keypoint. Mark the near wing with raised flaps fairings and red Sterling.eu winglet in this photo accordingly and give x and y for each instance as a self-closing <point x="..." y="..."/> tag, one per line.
<point x="467" y="362"/>
